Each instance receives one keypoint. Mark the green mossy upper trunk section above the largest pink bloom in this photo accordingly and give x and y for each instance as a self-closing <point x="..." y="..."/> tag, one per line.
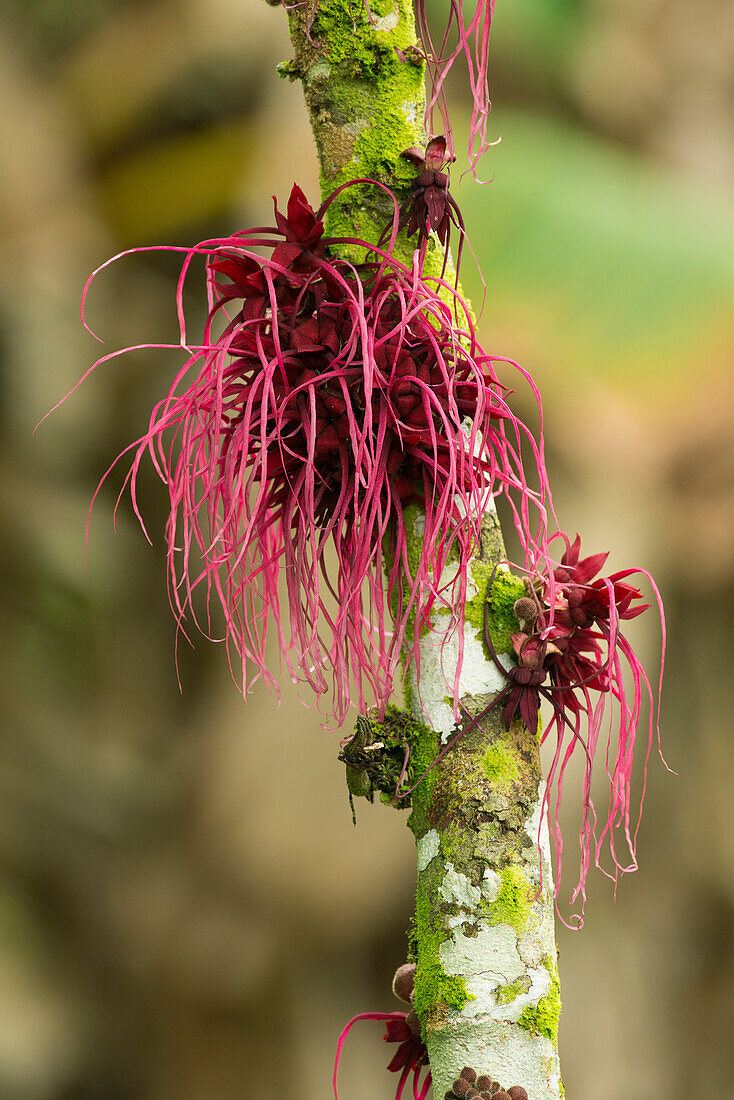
<point x="367" y="106"/>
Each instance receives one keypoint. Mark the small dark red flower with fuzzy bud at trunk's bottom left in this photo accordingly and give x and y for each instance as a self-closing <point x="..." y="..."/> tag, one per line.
<point x="404" y="1029"/>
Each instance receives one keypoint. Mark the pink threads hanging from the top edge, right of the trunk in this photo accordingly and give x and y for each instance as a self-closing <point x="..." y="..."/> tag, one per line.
<point x="466" y="37"/>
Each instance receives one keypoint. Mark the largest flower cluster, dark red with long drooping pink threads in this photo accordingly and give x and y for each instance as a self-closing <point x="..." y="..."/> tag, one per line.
<point x="325" y="398"/>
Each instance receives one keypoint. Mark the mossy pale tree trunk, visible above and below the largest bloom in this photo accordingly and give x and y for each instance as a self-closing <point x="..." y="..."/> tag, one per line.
<point x="487" y="983"/>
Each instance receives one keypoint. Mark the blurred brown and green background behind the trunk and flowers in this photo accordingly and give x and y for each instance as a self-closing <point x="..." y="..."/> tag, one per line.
<point x="187" y="911"/>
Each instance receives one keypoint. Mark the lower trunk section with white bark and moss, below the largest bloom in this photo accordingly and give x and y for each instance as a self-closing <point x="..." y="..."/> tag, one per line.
<point x="487" y="981"/>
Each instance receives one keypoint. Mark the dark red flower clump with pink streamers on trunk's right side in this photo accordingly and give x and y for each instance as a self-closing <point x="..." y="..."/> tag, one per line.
<point x="572" y="653"/>
